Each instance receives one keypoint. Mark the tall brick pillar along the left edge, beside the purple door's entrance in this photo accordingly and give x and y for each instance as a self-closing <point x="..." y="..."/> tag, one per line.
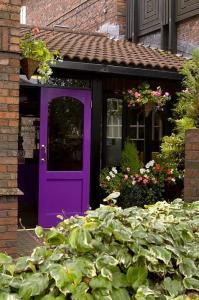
<point x="9" y="107"/>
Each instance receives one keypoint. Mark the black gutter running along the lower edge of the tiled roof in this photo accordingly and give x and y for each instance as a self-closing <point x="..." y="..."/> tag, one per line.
<point x="117" y="70"/>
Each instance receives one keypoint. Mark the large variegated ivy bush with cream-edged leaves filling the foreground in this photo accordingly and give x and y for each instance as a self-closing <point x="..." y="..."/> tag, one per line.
<point x="111" y="253"/>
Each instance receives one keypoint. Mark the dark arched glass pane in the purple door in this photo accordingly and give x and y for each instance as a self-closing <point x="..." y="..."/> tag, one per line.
<point x="65" y="134"/>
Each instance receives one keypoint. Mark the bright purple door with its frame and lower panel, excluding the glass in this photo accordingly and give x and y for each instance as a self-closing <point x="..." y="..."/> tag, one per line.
<point x="63" y="192"/>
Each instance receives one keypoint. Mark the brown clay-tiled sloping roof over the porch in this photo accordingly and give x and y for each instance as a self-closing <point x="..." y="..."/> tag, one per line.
<point x="98" y="48"/>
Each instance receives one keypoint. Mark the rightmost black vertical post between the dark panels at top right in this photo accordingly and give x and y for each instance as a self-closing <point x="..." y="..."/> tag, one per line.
<point x="172" y="27"/>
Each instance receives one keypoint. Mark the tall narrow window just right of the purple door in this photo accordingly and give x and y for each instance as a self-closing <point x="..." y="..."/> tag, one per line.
<point x="113" y="131"/>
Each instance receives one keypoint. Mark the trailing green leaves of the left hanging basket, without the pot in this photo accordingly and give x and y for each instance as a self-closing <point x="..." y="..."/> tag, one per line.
<point x="34" y="48"/>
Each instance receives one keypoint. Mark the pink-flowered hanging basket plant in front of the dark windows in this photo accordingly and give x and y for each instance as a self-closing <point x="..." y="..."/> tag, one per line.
<point x="145" y="95"/>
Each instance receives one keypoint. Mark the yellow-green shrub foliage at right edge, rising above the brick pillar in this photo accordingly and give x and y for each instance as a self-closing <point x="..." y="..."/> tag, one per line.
<point x="185" y="113"/>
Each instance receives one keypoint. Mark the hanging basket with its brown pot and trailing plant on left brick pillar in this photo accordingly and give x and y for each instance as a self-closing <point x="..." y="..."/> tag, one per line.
<point x="36" y="56"/>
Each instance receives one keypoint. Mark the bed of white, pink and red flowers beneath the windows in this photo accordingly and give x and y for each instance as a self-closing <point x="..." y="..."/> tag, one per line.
<point x="147" y="185"/>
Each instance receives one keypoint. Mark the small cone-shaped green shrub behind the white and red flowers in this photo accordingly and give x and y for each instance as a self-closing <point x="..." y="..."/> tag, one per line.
<point x="130" y="158"/>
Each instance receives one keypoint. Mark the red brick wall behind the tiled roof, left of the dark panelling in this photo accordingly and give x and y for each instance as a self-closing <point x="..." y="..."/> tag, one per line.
<point x="80" y="15"/>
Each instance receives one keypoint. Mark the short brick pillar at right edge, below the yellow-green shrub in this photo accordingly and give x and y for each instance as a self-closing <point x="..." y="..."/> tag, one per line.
<point x="191" y="182"/>
